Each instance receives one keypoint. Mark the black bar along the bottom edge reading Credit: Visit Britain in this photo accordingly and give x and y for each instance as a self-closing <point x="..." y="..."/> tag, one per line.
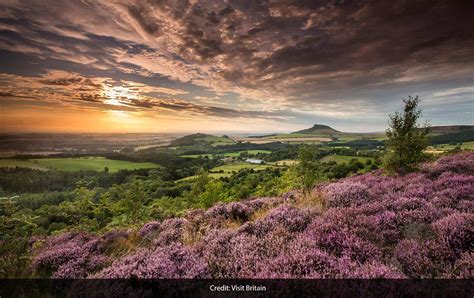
<point x="234" y="288"/>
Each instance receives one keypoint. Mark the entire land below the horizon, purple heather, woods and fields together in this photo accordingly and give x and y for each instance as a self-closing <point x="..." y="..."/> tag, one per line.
<point x="82" y="206"/>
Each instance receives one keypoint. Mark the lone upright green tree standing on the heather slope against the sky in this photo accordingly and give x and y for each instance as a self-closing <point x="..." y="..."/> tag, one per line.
<point x="406" y="138"/>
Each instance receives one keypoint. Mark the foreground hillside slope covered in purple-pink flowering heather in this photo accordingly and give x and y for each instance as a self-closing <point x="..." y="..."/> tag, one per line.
<point x="372" y="226"/>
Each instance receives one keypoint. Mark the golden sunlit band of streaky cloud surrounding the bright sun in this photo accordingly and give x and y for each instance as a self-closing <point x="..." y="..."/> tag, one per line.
<point x="73" y="90"/>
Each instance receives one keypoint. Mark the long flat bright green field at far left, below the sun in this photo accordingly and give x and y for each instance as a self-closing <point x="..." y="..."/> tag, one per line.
<point x="77" y="164"/>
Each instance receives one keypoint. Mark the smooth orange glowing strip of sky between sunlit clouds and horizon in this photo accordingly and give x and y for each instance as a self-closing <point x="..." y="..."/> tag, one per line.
<point x="67" y="120"/>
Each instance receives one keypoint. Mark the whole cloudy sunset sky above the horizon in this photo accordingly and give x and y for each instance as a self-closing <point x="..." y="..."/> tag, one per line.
<point x="231" y="66"/>
